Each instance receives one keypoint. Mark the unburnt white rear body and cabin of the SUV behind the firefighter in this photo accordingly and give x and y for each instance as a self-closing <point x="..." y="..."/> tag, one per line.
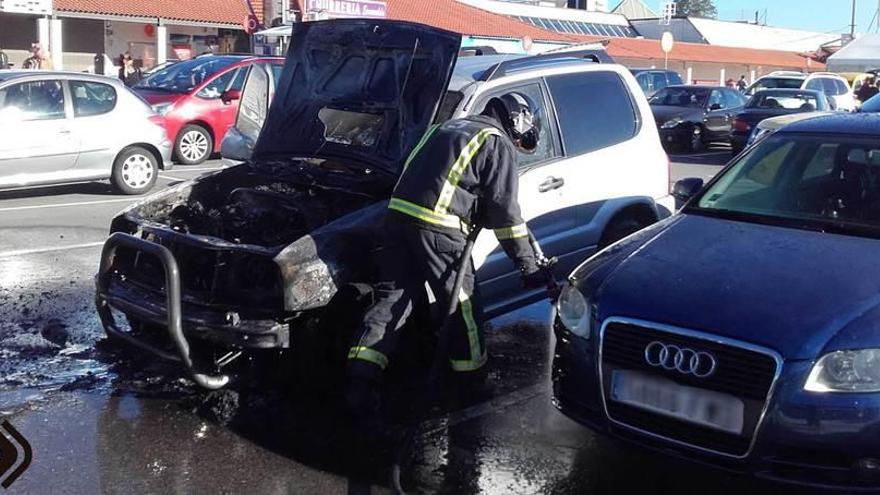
<point x="600" y="172"/>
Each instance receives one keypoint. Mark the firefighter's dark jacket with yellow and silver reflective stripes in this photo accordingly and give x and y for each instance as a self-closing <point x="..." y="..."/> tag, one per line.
<point x="463" y="173"/>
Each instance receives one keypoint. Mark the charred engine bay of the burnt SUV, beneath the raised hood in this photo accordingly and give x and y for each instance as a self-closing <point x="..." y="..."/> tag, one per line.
<point x="270" y="203"/>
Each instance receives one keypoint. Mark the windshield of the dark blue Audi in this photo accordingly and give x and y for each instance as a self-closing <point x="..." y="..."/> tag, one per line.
<point x="824" y="182"/>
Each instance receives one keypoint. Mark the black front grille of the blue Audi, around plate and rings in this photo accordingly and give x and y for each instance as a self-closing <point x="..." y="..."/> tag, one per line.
<point x="741" y="370"/>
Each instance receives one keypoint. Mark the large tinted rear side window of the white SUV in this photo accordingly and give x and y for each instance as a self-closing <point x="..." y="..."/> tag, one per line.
<point x="595" y="110"/>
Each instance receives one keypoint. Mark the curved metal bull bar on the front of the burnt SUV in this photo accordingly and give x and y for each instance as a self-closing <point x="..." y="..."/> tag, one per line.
<point x="174" y="309"/>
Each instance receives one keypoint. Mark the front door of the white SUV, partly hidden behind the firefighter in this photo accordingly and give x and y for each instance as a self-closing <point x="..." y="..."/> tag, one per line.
<point x="541" y="180"/>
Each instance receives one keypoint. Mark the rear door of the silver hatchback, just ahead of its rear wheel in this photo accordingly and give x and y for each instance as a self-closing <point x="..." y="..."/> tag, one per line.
<point x="94" y="121"/>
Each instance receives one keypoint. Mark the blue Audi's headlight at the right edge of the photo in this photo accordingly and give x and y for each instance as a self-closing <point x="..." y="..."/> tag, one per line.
<point x="846" y="371"/>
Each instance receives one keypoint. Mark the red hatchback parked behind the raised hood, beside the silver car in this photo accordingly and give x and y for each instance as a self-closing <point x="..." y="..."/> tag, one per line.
<point x="199" y="99"/>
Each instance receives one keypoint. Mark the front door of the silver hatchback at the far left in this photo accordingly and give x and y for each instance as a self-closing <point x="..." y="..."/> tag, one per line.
<point x="38" y="138"/>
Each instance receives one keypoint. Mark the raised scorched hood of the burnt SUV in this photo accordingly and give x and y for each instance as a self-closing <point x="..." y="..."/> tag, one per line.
<point x="360" y="89"/>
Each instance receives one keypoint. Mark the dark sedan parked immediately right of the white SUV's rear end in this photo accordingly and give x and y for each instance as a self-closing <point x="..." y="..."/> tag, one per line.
<point x="691" y="117"/>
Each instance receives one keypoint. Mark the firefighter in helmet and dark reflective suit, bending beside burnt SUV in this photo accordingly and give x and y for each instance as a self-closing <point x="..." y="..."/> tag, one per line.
<point x="461" y="174"/>
